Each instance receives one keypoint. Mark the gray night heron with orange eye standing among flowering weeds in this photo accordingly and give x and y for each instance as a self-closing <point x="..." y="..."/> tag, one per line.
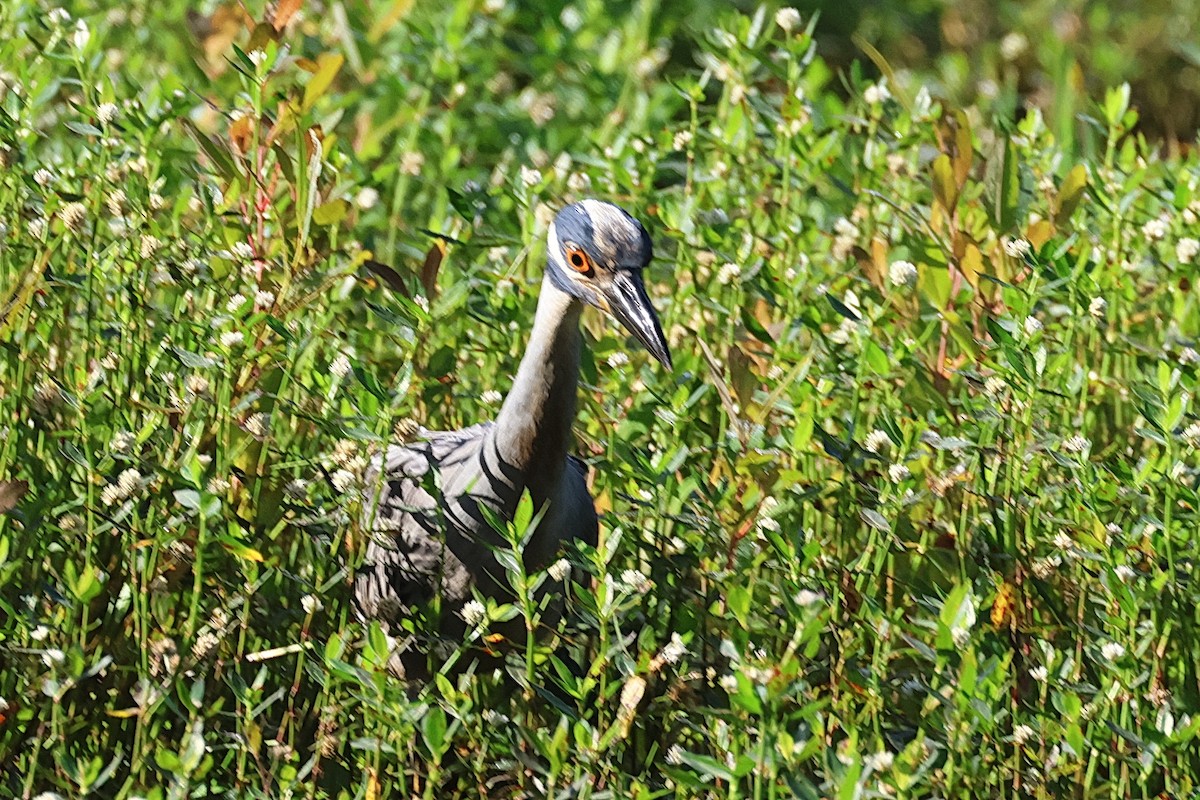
<point x="434" y="526"/>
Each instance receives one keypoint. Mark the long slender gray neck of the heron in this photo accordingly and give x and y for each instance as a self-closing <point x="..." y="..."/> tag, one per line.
<point x="533" y="430"/>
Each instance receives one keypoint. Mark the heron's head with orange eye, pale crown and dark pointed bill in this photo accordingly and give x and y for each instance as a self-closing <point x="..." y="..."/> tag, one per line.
<point x="597" y="254"/>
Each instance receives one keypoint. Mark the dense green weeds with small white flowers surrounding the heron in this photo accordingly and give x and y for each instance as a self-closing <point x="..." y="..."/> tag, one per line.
<point x="914" y="516"/>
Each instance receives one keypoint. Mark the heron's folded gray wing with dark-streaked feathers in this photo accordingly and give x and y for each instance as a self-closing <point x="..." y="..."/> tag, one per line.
<point x="409" y="563"/>
